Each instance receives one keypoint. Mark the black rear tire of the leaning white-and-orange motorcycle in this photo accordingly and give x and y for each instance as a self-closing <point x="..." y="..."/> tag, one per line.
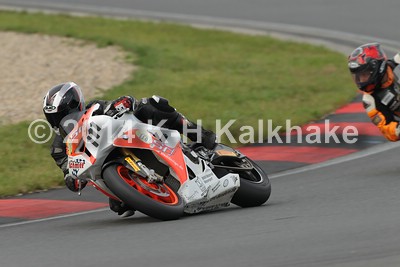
<point x="255" y="188"/>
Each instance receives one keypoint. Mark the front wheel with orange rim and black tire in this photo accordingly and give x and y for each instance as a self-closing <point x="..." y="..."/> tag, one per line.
<point x="168" y="207"/>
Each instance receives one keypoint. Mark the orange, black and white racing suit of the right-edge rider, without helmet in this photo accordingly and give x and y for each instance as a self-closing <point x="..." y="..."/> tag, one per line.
<point x="383" y="104"/>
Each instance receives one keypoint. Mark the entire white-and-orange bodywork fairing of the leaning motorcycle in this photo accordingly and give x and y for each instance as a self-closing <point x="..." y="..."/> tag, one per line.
<point x="202" y="193"/>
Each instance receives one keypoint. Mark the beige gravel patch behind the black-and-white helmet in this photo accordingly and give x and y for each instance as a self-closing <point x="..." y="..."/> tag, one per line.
<point x="30" y="64"/>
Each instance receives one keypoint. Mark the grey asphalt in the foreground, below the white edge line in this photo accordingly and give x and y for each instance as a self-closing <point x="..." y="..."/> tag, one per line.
<point x="336" y="215"/>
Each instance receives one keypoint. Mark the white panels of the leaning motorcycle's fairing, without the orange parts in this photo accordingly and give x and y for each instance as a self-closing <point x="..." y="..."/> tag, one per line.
<point x="204" y="192"/>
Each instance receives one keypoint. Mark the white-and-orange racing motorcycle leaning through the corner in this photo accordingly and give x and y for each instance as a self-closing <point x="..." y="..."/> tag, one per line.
<point x="150" y="168"/>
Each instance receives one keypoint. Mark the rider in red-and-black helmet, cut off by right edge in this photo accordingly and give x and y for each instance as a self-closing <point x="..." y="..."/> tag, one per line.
<point x="375" y="75"/>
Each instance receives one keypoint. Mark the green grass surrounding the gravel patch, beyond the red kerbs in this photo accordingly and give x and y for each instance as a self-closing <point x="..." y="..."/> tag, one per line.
<point x="206" y="74"/>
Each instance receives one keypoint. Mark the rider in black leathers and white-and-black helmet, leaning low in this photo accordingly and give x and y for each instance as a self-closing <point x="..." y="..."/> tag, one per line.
<point x="67" y="98"/>
